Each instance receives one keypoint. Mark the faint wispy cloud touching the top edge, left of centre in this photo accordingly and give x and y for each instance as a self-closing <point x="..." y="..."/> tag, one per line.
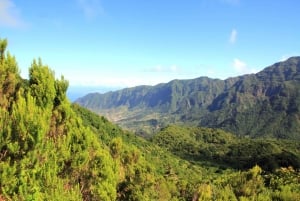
<point x="90" y="8"/>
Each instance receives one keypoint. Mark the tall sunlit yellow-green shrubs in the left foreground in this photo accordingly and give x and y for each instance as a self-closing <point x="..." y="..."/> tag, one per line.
<point x="45" y="151"/>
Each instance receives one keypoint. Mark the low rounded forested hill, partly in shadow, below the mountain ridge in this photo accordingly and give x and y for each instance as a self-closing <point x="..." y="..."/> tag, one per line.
<point x="224" y="149"/>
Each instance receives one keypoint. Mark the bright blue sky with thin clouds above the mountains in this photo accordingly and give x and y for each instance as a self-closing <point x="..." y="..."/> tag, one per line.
<point x="121" y="43"/>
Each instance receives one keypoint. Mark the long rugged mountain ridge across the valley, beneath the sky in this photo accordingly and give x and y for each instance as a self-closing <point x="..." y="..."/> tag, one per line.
<point x="266" y="104"/>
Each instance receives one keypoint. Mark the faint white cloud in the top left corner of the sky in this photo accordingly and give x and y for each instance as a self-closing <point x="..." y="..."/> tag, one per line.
<point x="9" y="14"/>
